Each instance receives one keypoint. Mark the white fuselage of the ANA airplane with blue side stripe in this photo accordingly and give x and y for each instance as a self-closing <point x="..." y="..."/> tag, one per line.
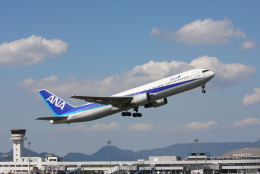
<point x="159" y="89"/>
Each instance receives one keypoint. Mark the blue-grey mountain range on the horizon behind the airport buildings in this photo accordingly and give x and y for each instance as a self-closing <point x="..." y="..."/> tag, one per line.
<point x="215" y="149"/>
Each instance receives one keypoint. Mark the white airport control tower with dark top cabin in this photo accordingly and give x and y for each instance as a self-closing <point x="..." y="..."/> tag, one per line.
<point x="18" y="145"/>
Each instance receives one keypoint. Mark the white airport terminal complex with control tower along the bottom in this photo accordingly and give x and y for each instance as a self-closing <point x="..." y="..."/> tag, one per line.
<point x="238" y="161"/>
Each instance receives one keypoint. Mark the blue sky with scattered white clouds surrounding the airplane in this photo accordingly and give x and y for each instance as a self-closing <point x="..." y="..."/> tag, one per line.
<point x="104" y="47"/>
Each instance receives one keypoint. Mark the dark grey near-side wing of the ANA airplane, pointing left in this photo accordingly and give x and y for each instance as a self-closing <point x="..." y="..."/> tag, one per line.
<point x="114" y="100"/>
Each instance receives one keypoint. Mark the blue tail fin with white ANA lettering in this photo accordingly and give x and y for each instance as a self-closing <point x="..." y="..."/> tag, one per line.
<point x="58" y="106"/>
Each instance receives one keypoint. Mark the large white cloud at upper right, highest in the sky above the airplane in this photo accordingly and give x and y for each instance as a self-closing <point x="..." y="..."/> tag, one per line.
<point x="204" y="31"/>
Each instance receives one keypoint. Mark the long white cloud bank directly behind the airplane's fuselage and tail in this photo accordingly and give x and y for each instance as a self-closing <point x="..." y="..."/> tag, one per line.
<point x="226" y="75"/>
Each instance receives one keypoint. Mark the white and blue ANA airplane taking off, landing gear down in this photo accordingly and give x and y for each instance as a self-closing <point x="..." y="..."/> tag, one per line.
<point x="150" y="95"/>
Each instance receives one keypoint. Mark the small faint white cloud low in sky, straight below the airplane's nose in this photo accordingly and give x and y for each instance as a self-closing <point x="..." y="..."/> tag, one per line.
<point x="198" y="126"/>
